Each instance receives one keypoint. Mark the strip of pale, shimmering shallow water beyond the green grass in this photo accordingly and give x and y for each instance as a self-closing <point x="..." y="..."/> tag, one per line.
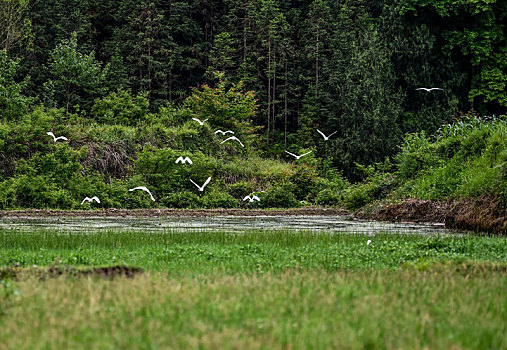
<point x="229" y="223"/>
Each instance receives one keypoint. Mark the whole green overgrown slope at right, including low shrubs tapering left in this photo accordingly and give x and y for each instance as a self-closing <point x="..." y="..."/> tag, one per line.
<point x="466" y="159"/>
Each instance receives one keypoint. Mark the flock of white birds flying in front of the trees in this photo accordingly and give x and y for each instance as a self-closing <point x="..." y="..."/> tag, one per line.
<point x="251" y="197"/>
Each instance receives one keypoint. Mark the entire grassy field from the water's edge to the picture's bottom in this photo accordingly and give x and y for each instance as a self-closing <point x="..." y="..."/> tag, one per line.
<point x="255" y="289"/>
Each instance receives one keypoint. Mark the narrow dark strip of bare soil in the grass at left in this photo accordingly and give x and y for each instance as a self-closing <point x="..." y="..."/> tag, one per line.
<point x="108" y="272"/>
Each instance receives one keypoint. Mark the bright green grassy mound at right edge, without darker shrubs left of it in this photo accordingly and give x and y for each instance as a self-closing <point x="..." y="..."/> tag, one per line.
<point x="467" y="159"/>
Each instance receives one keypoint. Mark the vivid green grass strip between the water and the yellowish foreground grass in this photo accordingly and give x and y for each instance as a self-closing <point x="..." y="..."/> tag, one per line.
<point x="204" y="252"/>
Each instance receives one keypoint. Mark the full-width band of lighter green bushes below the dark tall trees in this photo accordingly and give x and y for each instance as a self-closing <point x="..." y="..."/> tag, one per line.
<point x="121" y="145"/>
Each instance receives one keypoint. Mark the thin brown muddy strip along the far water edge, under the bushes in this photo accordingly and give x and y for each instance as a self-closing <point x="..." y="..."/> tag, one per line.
<point x="171" y="212"/>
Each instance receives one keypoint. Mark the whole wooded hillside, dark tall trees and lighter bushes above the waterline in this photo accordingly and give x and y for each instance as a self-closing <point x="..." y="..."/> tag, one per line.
<point x="122" y="81"/>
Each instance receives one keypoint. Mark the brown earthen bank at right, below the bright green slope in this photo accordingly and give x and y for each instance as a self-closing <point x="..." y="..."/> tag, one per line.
<point x="485" y="214"/>
